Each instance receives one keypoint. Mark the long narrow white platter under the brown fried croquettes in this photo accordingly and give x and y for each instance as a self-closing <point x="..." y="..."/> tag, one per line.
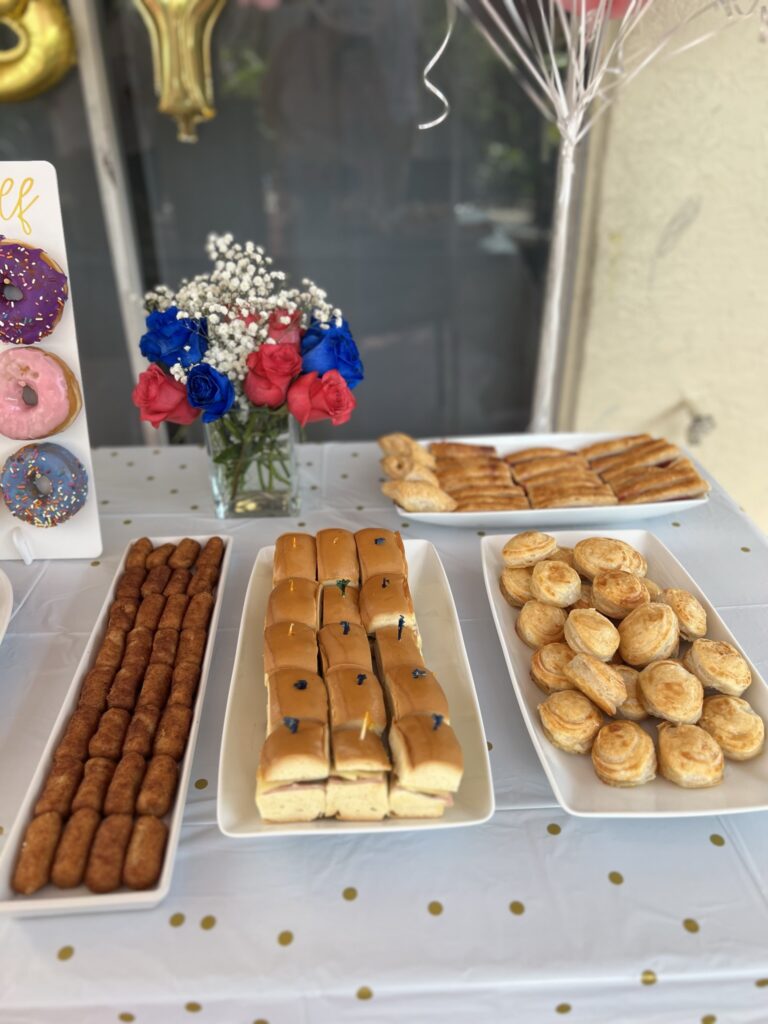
<point x="50" y="901"/>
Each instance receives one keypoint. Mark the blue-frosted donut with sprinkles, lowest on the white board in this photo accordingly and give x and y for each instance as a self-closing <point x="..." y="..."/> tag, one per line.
<point x="45" y="485"/>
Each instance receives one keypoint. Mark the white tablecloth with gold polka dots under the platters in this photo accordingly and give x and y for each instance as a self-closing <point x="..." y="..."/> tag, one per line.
<point x="539" y="915"/>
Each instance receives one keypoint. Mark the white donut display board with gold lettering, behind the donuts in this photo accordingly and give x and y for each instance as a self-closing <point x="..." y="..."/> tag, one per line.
<point x="31" y="215"/>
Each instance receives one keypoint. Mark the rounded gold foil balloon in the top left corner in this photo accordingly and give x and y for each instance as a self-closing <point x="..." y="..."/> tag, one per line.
<point x="45" y="51"/>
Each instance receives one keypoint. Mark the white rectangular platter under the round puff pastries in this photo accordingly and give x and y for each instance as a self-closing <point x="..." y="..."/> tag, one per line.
<point x="576" y="786"/>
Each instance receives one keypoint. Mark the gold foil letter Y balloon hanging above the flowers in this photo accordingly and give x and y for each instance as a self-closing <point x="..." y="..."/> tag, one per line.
<point x="181" y="34"/>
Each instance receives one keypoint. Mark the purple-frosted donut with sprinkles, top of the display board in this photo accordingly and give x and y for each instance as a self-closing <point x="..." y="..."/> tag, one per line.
<point x="33" y="293"/>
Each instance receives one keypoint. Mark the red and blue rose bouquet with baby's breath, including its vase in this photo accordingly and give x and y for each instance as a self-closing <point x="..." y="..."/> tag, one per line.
<point x="253" y="359"/>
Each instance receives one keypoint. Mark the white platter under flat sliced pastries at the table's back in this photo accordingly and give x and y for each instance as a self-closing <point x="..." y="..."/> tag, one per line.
<point x="538" y="519"/>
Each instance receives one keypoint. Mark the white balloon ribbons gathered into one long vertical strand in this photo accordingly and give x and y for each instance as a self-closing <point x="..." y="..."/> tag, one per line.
<point x="572" y="58"/>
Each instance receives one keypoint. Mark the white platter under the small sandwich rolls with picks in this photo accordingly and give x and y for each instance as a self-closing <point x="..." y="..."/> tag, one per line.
<point x="245" y="722"/>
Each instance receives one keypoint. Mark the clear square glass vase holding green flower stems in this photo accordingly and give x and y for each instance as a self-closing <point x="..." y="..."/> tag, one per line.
<point x="253" y="463"/>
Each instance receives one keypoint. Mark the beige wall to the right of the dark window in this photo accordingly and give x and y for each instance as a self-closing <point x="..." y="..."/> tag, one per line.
<point x="674" y="303"/>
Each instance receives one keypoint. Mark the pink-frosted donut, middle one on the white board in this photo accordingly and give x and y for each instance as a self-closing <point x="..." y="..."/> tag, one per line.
<point x="39" y="395"/>
